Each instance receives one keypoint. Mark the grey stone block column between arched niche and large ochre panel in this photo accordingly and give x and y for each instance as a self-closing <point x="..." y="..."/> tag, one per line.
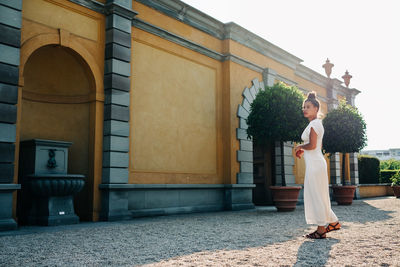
<point x="117" y="73"/>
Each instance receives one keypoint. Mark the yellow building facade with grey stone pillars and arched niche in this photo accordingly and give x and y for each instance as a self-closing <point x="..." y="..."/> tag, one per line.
<point x="154" y="96"/>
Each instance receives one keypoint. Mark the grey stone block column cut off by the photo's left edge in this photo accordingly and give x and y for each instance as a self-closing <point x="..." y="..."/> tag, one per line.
<point x="10" y="38"/>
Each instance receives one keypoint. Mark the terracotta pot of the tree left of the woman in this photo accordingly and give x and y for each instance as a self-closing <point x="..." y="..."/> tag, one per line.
<point x="285" y="197"/>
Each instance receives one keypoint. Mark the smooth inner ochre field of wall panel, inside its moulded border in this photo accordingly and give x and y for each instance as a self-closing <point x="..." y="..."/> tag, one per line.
<point x="174" y="115"/>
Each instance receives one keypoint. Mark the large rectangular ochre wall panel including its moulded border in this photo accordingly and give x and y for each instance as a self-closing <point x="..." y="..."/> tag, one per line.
<point x="175" y="114"/>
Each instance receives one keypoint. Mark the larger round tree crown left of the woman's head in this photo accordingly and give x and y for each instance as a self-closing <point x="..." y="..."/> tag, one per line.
<point x="276" y="115"/>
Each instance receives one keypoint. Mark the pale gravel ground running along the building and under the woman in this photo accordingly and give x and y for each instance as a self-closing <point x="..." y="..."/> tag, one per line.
<point x="262" y="237"/>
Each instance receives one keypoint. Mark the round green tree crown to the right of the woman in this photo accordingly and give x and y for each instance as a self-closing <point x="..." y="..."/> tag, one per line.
<point x="345" y="130"/>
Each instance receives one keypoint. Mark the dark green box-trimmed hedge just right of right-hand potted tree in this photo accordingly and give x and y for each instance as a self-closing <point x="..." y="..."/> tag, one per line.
<point x="368" y="169"/>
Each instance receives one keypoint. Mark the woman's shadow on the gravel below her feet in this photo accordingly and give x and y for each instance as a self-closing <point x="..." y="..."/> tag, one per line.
<point x="315" y="252"/>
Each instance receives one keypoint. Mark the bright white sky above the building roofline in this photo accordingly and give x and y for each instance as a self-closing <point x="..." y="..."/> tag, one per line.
<point x="362" y="36"/>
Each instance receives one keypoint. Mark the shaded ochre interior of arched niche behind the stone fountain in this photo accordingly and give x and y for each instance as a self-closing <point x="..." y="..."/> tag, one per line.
<point x="55" y="105"/>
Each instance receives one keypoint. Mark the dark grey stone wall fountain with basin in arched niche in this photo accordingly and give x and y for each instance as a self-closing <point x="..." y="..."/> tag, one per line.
<point x="48" y="192"/>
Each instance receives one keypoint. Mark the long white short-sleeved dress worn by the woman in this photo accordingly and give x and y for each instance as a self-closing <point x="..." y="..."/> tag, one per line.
<point x="317" y="205"/>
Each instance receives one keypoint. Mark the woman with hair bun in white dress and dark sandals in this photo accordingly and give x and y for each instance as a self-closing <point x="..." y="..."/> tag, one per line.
<point x="317" y="205"/>
